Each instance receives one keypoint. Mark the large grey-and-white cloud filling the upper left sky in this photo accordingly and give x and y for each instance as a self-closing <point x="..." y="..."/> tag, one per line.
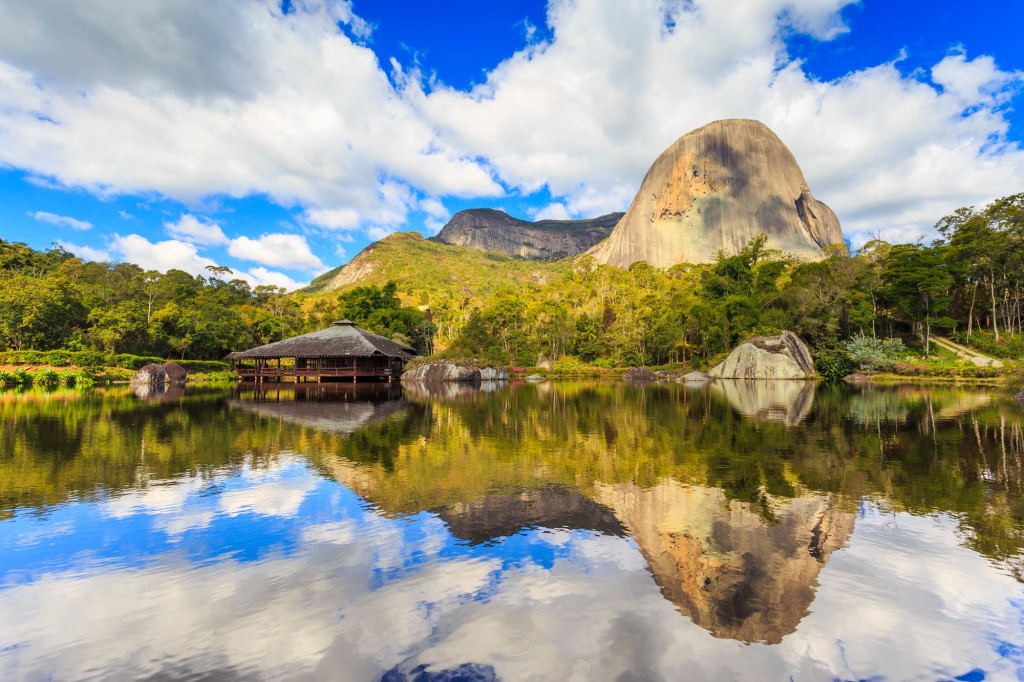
<point x="188" y="100"/>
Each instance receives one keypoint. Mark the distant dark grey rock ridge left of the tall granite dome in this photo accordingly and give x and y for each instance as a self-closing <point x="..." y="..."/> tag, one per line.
<point x="490" y="230"/>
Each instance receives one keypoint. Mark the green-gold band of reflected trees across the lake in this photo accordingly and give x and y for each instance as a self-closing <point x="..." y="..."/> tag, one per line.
<point x="915" y="450"/>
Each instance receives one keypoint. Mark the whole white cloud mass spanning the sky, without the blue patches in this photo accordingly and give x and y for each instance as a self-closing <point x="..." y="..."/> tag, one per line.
<point x="190" y="99"/>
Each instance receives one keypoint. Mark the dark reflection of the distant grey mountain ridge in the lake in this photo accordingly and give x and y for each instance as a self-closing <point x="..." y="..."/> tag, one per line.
<point x="549" y="507"/>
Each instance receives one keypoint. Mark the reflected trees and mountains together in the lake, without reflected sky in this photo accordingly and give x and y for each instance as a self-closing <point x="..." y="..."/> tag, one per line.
<point x="736" y="511"/>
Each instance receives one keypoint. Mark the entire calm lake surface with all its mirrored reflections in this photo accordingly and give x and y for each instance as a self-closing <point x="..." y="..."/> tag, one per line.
<point x="552" y="532"/>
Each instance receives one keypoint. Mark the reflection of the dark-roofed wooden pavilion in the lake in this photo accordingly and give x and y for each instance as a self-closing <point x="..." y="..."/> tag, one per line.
<point x="325" y="407"/>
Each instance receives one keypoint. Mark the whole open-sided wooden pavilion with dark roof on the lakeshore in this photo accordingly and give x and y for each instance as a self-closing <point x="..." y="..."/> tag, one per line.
<point x="340" y="353"/>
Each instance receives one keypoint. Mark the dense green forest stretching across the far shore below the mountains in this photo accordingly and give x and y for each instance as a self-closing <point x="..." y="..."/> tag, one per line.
<point x="968" y="284"/>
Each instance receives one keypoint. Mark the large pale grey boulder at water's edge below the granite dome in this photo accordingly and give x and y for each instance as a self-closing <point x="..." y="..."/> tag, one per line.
<point x="783" y="357"/>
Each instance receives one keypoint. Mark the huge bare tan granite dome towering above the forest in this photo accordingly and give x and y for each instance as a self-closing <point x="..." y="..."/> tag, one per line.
<point x="715" y="190"/>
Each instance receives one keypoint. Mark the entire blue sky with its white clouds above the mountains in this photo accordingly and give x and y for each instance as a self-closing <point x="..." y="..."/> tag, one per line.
<point x="281" y="140"/>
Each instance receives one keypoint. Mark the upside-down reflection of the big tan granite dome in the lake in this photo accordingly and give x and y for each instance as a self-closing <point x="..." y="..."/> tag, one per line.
<point x="728" y="569"/>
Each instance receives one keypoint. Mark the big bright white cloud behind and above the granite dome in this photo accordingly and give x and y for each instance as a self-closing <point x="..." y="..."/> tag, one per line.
<point x="586" y="113"/>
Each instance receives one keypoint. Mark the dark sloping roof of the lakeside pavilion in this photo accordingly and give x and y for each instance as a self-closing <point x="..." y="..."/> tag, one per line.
<point x="344" y="339"/>
